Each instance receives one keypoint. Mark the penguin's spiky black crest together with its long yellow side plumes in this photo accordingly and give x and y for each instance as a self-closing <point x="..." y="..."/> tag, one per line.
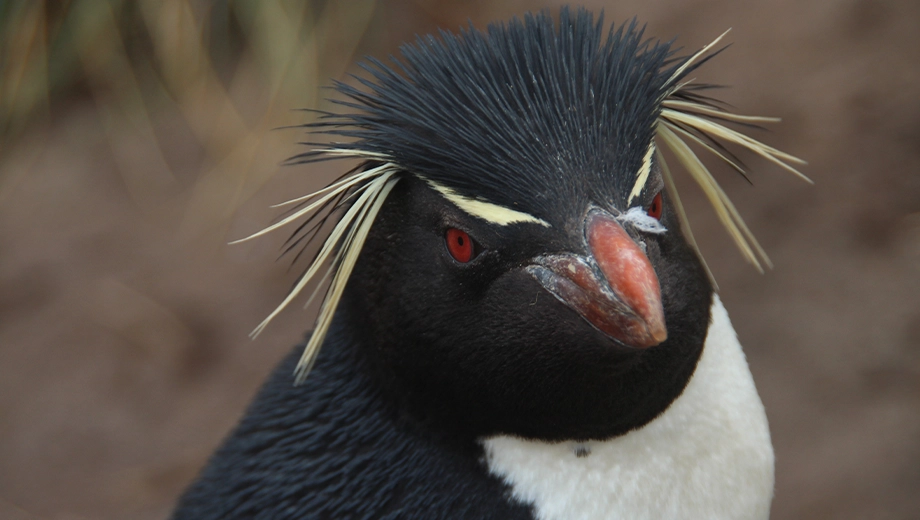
<point x="525" y="122"/>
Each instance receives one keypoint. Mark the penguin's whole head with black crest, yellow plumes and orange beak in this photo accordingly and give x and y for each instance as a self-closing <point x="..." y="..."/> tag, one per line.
<point x="511" y="250"/>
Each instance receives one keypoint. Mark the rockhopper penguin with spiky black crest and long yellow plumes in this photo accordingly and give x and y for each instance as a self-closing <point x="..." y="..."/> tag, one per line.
<point x="517" y="323"/>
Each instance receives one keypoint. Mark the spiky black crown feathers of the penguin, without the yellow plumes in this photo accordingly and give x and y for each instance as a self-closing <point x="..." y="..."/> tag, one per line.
<point x="518" y="113"/>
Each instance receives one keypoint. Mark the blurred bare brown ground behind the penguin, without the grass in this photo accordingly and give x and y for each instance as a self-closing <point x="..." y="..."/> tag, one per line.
<point x="123" y="314"/>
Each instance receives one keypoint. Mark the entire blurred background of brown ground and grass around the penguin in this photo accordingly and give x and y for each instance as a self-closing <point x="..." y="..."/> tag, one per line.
<point x="138" y="137"/>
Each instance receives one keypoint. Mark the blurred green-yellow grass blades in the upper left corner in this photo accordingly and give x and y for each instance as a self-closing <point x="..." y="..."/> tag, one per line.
<point x="231" y="69"/>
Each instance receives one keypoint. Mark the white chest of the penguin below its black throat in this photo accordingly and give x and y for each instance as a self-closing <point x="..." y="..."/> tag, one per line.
<point x="707" y="456"/>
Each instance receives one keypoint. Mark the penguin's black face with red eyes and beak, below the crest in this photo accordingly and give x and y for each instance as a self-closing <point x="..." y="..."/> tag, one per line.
<point x="489" y="327"/>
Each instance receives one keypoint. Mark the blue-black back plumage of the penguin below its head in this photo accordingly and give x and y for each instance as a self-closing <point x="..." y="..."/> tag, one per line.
<point x="337" y="447"/>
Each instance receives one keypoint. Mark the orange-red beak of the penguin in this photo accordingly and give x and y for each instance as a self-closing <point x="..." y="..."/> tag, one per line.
<point x="614" y="288"/>
